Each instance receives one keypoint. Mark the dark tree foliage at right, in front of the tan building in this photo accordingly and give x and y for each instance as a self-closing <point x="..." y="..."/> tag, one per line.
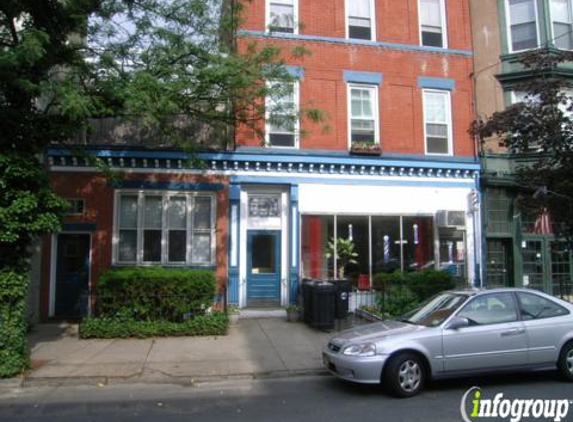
<point x="541" y="128"/>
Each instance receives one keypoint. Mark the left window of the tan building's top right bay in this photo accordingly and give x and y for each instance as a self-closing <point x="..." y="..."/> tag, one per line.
<point x="522" y="18"/>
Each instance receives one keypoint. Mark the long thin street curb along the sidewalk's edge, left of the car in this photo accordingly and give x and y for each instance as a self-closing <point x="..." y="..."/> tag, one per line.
<point x="187" y="381"/>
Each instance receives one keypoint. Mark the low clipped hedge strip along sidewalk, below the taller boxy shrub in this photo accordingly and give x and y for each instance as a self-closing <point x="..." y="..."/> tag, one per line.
<point x="108" y="328"/>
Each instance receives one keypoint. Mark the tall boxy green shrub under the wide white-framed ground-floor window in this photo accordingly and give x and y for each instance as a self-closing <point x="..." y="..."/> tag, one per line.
<point x="154" y="293"/>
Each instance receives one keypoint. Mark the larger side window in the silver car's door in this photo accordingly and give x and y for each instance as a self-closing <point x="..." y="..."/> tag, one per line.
<point x="495" y="308"/>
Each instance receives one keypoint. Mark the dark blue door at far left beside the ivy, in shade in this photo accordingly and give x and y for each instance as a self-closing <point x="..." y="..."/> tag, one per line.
<point x="72" y="275"/>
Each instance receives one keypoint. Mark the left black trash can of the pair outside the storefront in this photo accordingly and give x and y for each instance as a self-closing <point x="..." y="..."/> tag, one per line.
<point x="318" y="301"/>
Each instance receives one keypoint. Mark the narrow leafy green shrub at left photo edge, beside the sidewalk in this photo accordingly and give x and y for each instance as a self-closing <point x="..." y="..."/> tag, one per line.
<point x="14" y="354"/>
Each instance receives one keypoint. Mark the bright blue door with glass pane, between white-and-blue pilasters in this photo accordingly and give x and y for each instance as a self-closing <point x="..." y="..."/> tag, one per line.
<point x="263" y="264"/>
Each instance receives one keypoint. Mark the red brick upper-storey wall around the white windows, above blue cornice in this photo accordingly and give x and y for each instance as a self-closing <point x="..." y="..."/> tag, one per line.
<point x="400" y="98"/>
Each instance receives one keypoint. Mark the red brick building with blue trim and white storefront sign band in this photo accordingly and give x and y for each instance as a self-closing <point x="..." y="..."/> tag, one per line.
<point x="395" y="170"/>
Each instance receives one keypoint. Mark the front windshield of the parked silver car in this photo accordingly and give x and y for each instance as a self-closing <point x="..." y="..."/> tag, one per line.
<point x="435" y="310"/>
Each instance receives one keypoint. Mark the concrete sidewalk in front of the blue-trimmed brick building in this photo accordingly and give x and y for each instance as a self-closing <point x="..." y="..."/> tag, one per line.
<point x="253" y="348"/>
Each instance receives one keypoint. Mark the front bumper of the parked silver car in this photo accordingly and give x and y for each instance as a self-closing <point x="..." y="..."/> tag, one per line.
<point x="366" y="370"/>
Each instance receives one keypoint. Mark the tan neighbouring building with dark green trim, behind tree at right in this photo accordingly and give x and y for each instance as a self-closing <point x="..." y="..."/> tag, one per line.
<point x="518" y="250"/>
